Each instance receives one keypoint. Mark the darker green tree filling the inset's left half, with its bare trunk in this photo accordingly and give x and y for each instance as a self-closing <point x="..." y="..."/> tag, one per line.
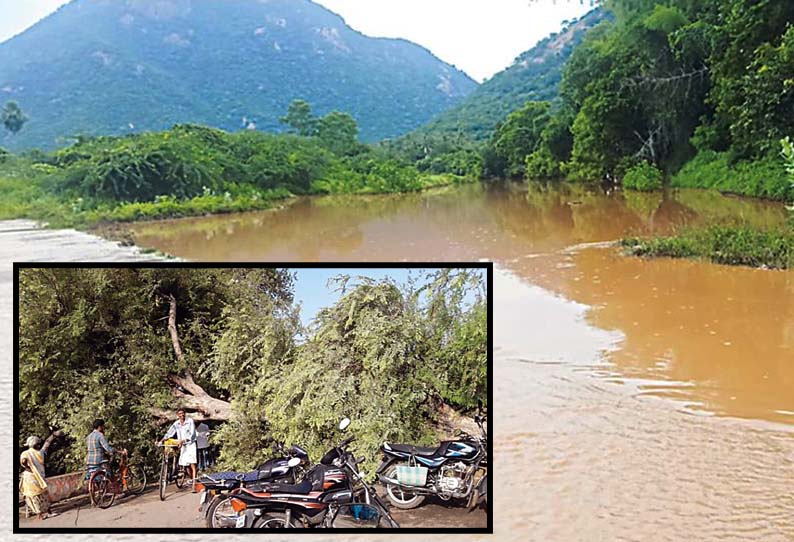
<point x="103" y="343"/>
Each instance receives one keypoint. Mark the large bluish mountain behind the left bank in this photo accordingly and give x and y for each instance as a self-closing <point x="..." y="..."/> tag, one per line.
<point x="146" y="66"/>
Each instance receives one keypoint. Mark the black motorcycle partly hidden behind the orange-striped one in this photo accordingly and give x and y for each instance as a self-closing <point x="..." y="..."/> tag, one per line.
<point x="289" y="468"/>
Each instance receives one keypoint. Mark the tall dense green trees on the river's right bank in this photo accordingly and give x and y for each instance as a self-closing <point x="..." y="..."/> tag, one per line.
<point x="703" y="85"/>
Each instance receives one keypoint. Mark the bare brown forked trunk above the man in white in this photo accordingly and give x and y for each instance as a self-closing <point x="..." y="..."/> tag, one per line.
<point x="190" y="395"/>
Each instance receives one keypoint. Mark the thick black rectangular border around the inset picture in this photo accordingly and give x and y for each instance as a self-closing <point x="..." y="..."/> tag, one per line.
<point x="488" y="266"/>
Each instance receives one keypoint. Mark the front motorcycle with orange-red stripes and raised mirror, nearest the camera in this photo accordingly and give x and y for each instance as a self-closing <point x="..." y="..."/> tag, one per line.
<point x="333" y="494"/>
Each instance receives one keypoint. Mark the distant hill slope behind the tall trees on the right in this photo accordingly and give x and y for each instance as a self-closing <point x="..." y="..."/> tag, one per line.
<point x="535" y="75"/>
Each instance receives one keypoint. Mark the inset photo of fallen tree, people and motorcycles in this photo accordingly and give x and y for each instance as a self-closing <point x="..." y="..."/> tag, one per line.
<point x="175" y="397"/>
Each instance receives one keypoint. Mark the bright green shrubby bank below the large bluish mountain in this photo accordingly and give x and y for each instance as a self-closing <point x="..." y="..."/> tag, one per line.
<point x="192" y="170"/>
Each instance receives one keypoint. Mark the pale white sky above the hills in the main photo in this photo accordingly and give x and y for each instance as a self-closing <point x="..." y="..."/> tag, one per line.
<point x="481" y="37"/>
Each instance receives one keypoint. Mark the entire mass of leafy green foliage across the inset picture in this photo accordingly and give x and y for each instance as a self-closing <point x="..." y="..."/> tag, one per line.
<point x="94" y="343"/>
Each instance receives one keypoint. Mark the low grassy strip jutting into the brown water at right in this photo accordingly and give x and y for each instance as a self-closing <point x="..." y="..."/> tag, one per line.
<point x="733" y="245"/>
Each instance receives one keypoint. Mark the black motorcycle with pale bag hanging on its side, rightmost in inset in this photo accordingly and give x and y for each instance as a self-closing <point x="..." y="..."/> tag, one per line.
<point x="455" y="469"/>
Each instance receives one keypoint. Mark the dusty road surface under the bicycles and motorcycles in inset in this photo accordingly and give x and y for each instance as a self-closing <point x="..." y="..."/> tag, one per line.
<point x="180" y="510"/>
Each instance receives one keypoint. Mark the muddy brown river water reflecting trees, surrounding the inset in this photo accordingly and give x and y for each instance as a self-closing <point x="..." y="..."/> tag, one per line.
<point x="634" y="399"/>
